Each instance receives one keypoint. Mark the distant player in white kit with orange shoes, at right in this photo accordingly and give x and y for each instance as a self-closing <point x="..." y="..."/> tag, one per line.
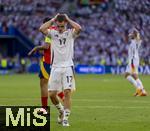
<point x="133" y="58"/>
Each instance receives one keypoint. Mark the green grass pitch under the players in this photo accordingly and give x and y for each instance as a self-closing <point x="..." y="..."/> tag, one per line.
<point x="100" y="103"/>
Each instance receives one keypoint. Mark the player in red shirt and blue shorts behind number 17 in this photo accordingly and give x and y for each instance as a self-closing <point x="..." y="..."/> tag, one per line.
<point x="44" y="73"/>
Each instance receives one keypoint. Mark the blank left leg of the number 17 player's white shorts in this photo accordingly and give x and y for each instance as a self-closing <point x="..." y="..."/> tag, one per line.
<point x="54" y="83"/>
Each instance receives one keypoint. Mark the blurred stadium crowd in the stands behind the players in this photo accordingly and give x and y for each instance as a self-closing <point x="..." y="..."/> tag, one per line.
<point x="105" y="26"/>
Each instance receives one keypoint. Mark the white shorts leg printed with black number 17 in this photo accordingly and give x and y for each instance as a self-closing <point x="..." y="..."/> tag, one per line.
<point x="68" y="79"/>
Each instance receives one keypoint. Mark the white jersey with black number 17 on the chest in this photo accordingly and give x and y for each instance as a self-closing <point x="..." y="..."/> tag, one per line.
<point x="62" y="48"/>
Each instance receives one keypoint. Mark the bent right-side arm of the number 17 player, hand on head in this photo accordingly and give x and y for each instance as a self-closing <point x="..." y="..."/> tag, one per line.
<point x="76" y="26"/>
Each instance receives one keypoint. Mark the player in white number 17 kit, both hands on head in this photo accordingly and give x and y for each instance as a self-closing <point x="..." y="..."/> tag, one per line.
<point x="62" y="75"/>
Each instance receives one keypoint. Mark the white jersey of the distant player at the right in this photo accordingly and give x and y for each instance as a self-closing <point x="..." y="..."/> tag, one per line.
<point x="133" y="52"/>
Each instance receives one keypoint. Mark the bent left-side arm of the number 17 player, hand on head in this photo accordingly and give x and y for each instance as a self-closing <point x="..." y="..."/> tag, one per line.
<point x="44" y="27"/>
